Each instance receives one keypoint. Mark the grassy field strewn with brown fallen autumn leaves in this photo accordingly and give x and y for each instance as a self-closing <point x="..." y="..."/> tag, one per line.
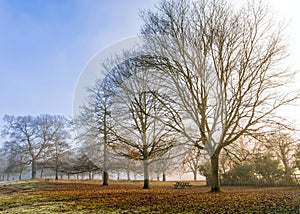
<point x="128" y="197"/>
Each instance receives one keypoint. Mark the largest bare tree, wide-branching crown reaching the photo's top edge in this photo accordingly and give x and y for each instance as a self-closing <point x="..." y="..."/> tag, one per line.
<point x="223" y="64"/>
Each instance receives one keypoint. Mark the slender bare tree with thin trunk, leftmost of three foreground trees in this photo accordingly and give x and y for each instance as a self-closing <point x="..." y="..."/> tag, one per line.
<point x="94" y="127"/>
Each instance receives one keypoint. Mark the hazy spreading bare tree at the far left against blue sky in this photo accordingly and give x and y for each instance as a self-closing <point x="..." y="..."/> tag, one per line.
<point x="33" y="135"/>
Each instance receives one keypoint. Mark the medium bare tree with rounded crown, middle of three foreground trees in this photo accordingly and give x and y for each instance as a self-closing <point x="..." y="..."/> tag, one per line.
<point x="138" y="134"/>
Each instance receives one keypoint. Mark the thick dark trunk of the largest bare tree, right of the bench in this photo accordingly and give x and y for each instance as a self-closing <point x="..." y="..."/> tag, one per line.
<point x="215" y="179"/>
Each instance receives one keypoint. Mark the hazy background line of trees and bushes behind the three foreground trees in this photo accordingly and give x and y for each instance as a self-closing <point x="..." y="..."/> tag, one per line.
<point x="272" y="159"/>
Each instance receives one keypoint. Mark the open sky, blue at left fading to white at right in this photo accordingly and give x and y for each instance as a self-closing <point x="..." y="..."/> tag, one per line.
<point x="45" y="44"/>
